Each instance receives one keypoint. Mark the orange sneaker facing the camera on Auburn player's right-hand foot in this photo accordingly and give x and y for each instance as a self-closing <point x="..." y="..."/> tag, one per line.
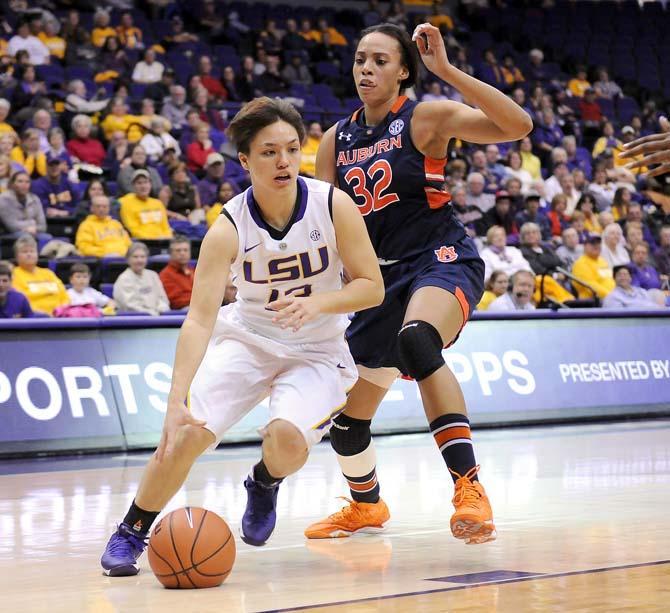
<point x="473" y="519"/>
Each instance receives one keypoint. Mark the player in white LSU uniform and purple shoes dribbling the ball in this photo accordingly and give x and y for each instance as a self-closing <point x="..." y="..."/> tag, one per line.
<point x="285" y="240"/>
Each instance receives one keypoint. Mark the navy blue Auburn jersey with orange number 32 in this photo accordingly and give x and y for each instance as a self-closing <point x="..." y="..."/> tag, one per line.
<point x="399" y="191"/>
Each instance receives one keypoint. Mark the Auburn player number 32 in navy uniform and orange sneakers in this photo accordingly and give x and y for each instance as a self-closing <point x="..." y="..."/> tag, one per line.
<point x="389" y="156"/>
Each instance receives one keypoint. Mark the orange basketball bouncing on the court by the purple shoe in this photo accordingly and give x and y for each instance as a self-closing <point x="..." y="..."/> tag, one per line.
<point x="191" y="548"/>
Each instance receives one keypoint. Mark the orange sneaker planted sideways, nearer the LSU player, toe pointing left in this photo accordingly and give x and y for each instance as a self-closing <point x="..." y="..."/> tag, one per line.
<point x="356" y="517"/>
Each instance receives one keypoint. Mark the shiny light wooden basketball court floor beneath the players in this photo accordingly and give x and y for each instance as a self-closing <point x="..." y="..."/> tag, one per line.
<point x="582" y="515"/>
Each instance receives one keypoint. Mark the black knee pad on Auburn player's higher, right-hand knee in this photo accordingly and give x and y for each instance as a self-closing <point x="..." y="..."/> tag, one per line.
<point x="419" y="349"/>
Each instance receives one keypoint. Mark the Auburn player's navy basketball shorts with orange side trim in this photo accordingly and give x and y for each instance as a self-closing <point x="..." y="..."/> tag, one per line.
<point x="456" y="268"/>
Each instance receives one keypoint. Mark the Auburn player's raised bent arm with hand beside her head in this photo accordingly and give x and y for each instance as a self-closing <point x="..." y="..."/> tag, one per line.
<point x="498" y="118"/>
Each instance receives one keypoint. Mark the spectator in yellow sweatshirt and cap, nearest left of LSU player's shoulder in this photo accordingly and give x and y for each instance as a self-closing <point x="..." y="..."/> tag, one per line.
<point x="143" y="216"/>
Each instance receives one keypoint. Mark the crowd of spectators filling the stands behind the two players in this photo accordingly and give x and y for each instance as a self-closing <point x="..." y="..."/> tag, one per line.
<point x="112" y="141"/>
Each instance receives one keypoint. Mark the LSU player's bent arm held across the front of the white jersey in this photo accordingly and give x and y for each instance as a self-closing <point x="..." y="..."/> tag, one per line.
<point x="366" y="288"/>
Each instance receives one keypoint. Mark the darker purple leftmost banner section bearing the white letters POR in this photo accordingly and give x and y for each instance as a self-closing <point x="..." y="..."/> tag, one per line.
<point x="54" y="392"/>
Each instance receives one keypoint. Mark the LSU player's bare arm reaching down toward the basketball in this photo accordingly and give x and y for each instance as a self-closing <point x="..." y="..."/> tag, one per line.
<point x="219" y="249"/>
